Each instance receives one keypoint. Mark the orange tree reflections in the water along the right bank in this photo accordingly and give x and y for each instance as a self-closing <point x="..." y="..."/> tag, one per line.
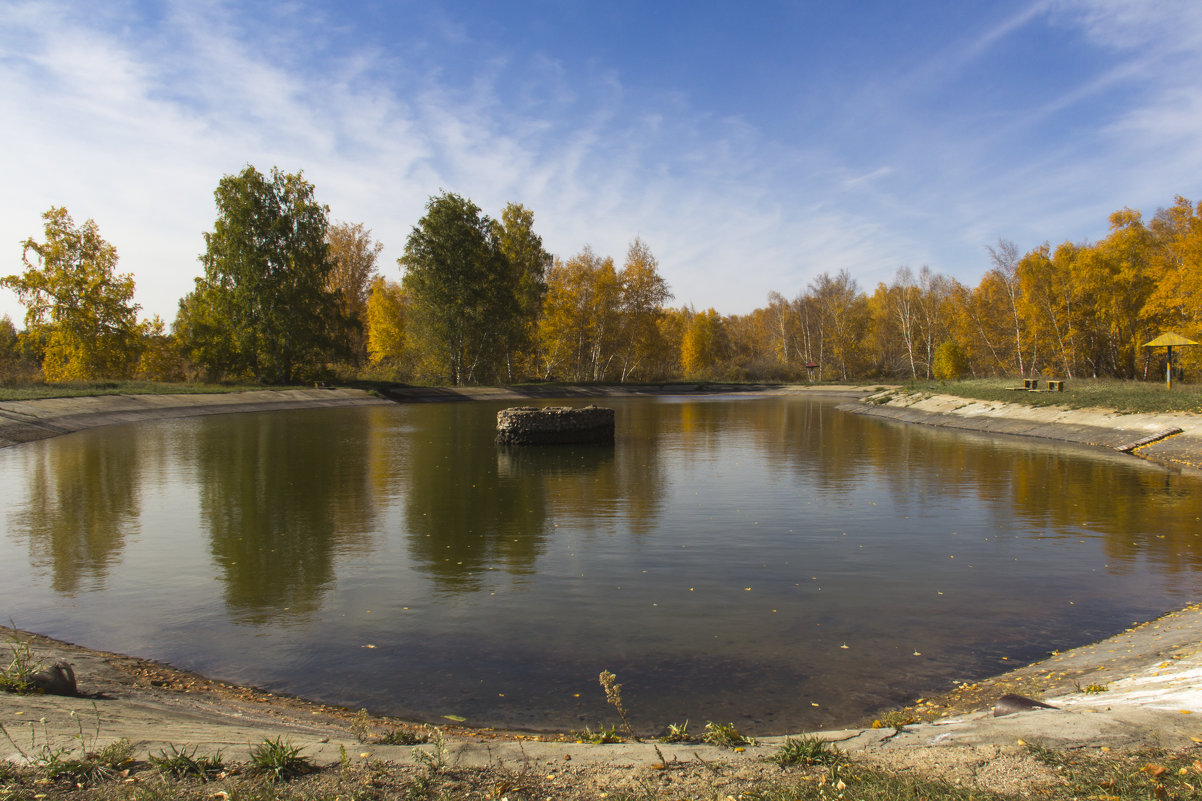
<point x="1140" y="512"/>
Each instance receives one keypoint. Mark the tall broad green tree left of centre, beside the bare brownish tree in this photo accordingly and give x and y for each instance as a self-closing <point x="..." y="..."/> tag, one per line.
<point x="264" y="308"/>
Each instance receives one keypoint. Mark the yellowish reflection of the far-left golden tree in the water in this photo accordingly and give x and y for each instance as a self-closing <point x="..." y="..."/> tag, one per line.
<point x="84" y="500"/>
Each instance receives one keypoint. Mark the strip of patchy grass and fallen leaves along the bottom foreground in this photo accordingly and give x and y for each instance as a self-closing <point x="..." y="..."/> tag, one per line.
<point x="798" y="773"/>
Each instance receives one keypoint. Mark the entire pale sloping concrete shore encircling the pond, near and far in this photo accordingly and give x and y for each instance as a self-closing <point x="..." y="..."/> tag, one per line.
<point x="1144" y="685"/>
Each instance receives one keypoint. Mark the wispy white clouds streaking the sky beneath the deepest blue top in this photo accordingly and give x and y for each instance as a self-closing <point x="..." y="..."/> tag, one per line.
<point x="133" y="123"/>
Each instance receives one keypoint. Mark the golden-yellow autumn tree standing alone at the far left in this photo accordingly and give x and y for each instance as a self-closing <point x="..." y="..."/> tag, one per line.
<point x="76" y="304"/>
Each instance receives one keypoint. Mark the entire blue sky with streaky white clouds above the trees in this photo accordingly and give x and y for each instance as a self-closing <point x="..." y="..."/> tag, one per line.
<point x="752" y="145"/>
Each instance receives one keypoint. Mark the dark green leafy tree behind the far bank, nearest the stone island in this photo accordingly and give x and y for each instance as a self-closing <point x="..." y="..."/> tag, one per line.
<point x="462" y="292"/>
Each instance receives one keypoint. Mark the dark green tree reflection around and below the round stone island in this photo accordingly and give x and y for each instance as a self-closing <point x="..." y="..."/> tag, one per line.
<point x="473" y="507"/>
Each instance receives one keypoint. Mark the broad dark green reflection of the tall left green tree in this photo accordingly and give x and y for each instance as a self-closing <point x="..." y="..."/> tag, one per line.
<point x="282" y="500"/>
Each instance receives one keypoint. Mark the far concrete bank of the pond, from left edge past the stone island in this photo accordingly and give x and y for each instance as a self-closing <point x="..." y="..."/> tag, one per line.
<point x="26" y="422"/>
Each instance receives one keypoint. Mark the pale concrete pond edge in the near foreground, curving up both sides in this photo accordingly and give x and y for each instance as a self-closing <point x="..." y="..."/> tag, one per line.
<point x="1133" y="691"/>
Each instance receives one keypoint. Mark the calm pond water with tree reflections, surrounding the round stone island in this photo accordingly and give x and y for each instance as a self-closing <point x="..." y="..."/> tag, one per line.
<point x="770" y="562"/>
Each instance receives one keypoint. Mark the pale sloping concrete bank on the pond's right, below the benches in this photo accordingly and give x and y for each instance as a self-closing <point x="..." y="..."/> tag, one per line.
<point x="1177" y="437"/>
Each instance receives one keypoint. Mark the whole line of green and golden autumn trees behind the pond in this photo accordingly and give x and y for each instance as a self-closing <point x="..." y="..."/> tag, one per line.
<point x="285" y="295"/>
